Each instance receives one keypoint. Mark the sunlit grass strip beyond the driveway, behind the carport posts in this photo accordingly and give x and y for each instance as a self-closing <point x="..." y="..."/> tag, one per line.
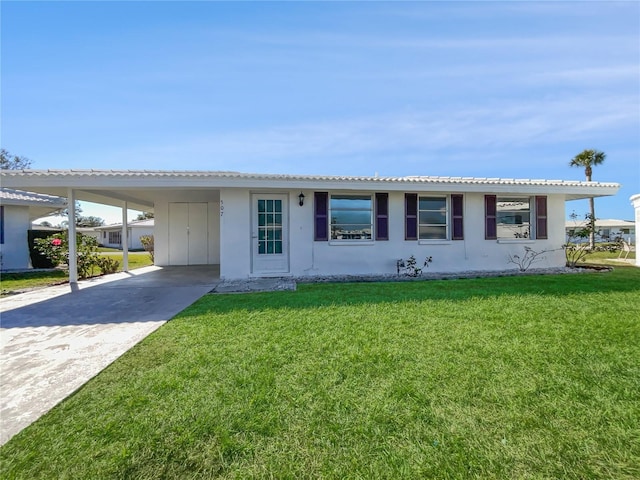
<point x="16" y="282"/>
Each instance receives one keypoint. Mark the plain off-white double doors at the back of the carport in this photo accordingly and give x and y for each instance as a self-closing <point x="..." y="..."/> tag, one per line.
<point x="188" y="234"/>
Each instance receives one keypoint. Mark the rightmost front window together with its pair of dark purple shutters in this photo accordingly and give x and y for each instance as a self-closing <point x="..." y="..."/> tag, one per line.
<point x="511" y="218"/>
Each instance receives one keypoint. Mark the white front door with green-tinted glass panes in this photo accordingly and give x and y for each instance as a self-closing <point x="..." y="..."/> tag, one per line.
<point x="270" y="234"/>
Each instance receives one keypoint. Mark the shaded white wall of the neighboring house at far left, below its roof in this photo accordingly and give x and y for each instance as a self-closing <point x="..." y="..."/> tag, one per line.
<point x="14" y="252"/>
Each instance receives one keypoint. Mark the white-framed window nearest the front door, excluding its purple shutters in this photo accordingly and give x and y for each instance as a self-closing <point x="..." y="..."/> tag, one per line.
<point x="351" y="217"/>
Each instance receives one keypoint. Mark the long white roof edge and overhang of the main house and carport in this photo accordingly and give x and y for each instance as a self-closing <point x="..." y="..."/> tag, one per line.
<point x="139" y="187"/>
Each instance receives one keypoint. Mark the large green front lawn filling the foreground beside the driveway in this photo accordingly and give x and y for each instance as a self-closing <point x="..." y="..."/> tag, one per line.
<point x="515" y="377"/>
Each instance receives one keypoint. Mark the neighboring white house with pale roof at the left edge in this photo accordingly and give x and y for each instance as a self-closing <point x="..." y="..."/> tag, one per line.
<point x="17" y="210"/>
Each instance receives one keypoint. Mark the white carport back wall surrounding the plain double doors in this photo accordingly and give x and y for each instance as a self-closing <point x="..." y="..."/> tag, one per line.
<point x="161" y="229"/>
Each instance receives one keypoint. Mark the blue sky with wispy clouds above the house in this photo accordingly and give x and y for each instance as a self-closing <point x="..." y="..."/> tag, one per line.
<point x="487" y="89"/>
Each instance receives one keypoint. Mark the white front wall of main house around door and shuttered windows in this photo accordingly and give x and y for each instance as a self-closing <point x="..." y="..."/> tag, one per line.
<point x="311" y="258"/>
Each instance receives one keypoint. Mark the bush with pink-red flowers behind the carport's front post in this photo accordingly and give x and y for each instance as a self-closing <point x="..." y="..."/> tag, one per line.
<point x="56" y="249"/>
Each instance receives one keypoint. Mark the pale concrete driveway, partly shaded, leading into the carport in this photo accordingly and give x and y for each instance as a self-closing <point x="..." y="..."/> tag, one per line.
<point x="54" y="340"/>
